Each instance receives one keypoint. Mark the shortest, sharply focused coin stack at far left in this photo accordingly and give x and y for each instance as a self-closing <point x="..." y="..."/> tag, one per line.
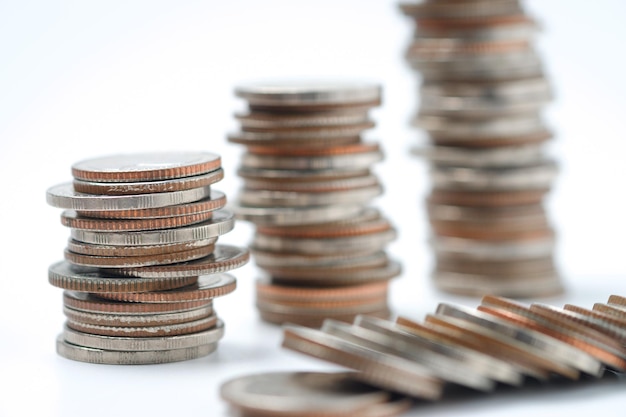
<point x="142" y="266"/>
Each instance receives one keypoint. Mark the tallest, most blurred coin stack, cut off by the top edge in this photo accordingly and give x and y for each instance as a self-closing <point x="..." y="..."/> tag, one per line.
<point x="482" y="92"/>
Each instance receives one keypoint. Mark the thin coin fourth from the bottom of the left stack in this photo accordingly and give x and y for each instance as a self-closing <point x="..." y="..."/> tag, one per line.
<point x="137" y="320"/>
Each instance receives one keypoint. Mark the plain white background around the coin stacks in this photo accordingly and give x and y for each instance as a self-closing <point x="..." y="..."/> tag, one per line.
<point x="80" y="79"/>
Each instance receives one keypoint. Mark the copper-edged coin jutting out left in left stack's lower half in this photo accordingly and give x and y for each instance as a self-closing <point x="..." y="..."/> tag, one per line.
<point x="95" y="280"/>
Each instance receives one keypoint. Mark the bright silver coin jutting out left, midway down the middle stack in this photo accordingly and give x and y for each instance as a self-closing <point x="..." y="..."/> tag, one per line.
<point x="296" y="215"/>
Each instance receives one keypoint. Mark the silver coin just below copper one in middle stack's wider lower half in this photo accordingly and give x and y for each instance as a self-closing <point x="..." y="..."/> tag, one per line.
<point x="368" y="242"/>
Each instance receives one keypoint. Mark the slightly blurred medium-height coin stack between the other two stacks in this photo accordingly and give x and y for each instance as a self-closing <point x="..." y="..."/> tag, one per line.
<point x="307" y="183"/>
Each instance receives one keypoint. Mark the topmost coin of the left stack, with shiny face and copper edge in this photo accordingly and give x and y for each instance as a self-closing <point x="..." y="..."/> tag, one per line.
<point x="145" y="166"/>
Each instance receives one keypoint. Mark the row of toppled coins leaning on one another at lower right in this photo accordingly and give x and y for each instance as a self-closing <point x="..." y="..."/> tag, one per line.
<point x="502" y="341"/>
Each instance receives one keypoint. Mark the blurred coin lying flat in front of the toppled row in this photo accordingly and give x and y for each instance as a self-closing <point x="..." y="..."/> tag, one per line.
<point x="301" y="394"/>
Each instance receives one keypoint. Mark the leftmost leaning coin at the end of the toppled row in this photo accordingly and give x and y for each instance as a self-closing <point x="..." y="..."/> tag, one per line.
<point x="379" y="369"/>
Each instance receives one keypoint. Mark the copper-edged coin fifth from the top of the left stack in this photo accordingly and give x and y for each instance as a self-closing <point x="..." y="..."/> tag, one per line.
<point x="71" y="218"/>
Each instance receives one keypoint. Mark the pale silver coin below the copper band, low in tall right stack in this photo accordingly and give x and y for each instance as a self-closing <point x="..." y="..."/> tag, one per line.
<point x="471" y="248"/>
